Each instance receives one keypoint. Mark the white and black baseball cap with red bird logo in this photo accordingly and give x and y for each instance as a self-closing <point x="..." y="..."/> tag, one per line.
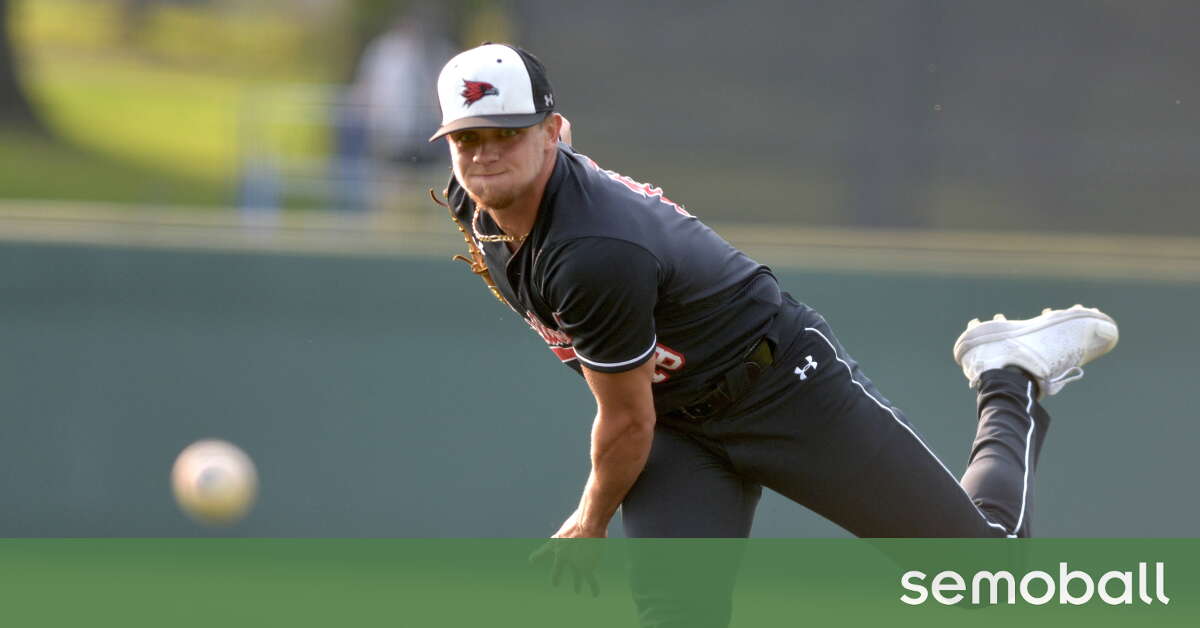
<point x="494" y="86"/>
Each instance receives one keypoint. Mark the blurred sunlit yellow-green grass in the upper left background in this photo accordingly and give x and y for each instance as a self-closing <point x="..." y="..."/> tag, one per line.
<point x="158" y="119"/>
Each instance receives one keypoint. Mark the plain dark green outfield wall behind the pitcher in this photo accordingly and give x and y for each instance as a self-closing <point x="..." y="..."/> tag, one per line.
<point x="395" y="398"/>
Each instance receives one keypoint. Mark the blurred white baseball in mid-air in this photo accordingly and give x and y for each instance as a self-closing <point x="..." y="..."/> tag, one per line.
<point x="214" y="482"/>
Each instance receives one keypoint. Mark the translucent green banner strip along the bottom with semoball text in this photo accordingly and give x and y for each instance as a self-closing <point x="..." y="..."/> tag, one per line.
<point x="175" y="583"/>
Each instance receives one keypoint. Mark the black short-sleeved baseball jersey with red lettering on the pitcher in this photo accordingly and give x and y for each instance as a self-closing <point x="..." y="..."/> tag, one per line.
<point x="615" y="274"/>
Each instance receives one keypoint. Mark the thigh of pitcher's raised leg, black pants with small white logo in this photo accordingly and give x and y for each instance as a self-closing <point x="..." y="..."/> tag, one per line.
<point x="819" y="433"/>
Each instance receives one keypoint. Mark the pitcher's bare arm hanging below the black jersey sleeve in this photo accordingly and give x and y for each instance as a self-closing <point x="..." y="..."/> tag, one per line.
<point x="621" y="442"/>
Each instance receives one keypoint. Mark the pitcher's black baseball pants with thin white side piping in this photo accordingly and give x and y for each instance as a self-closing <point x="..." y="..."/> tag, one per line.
<point x="818" y="432"/>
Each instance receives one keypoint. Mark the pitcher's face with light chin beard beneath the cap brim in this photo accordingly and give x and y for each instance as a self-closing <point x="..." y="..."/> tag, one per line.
<point x="500" y="166"/>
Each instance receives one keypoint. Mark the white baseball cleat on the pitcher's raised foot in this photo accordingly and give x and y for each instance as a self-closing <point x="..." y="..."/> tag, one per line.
<point x="1052" y="348"/>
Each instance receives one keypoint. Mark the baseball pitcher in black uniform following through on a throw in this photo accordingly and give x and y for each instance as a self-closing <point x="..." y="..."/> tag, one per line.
<point x="710" y="381"/>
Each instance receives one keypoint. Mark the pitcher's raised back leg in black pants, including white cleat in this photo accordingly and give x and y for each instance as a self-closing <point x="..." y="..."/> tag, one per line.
<point x="841" y="448"/>
